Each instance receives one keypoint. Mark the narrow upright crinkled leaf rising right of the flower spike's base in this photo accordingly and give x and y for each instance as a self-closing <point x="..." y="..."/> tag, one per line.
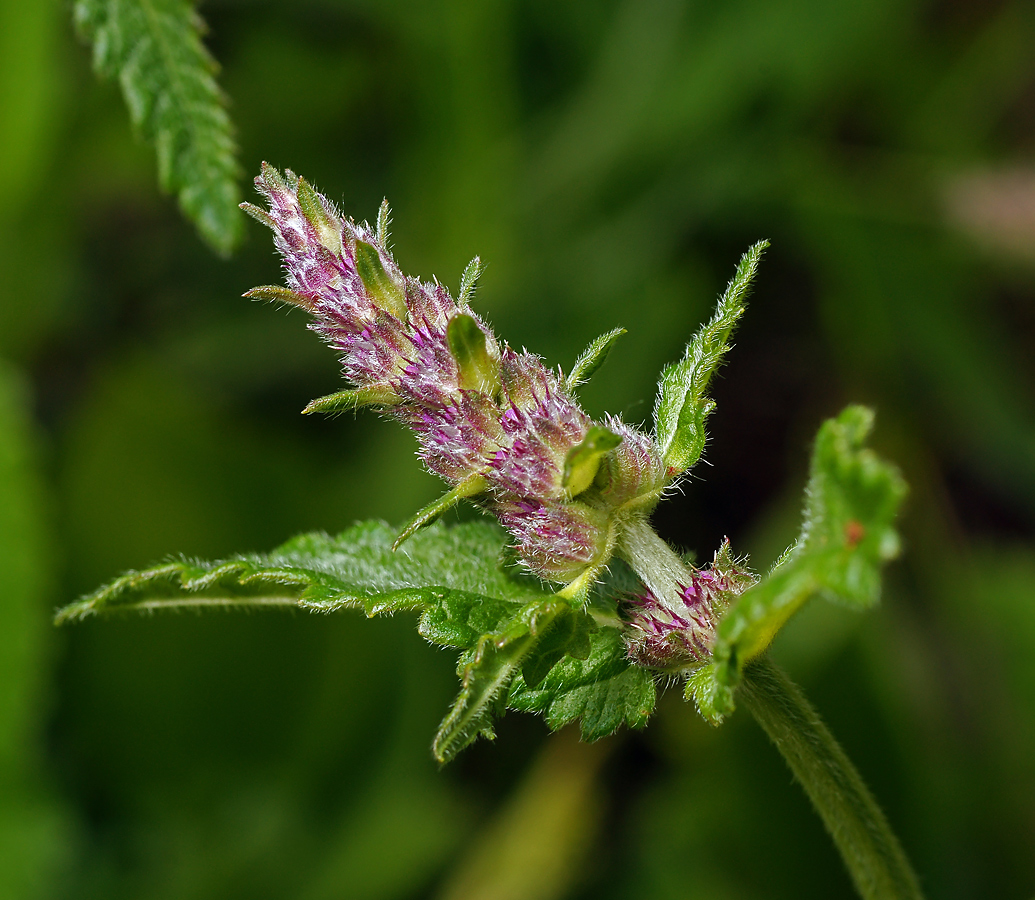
<point x="683" y="406"/>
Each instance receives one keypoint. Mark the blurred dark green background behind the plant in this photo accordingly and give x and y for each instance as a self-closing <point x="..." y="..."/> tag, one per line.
<point x="610" y="161"/>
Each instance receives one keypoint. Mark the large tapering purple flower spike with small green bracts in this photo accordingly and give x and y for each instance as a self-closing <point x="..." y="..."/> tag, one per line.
<point x="494" y="423"/>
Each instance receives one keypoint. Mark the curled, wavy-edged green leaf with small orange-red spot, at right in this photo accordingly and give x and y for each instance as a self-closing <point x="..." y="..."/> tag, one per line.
<point x="848" y="534"/>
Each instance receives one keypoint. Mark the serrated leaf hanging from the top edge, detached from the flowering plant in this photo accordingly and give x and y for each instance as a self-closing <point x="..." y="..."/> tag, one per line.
<point x="155" y="49"/>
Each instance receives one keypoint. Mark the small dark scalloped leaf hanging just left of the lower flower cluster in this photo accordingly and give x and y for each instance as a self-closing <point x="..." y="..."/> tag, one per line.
<point x="605" y="691"/>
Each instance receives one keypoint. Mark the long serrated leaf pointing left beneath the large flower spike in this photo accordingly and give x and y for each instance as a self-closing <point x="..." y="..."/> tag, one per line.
<point x="442" y="573"/>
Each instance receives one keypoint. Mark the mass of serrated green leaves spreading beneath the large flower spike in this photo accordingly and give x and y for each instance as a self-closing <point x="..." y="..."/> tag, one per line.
<point x="508" y="626"/>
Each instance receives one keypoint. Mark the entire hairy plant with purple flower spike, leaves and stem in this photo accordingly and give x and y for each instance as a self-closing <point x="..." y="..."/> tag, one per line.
<point x="561" y="601"/>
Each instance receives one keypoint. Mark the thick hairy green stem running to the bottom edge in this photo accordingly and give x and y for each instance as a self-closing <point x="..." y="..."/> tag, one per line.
<point x="871" y="851"/>
